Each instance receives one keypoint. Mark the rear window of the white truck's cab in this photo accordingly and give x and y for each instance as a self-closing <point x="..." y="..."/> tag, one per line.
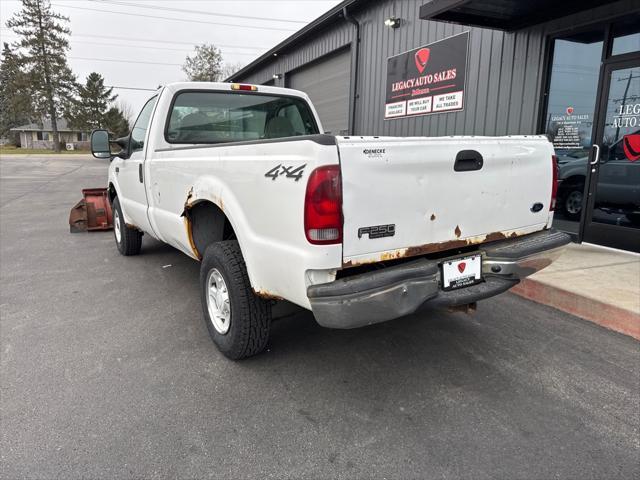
<point x="219" y="117"/>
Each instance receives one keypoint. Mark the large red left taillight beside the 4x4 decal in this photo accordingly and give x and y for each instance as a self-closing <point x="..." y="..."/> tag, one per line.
<point x="323" y="206"/>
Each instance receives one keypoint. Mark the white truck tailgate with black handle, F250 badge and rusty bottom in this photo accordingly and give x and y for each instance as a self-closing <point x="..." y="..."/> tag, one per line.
<point x="411" y="196"/>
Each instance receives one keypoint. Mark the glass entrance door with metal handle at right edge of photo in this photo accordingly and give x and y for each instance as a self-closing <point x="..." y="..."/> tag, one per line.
<point x="613" y="205"/>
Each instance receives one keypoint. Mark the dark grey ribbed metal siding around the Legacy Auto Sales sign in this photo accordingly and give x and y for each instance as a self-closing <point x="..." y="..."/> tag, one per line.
<point x="504" y="73"/>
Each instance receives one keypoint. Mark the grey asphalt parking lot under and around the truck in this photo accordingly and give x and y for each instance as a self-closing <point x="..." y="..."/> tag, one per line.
<point x="107" y="371"/>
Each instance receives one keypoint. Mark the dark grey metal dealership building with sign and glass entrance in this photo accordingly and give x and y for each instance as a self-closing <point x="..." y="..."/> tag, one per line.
<point x="569" y="69"/>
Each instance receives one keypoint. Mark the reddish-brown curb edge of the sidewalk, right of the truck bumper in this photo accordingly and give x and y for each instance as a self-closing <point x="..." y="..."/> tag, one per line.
<point x="609" y="316"/>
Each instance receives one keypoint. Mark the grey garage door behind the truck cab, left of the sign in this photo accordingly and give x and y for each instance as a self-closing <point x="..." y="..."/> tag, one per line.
<point x="327" y="84"/>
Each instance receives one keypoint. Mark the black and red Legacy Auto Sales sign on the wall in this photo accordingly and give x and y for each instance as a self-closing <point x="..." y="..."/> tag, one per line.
<point x="429" y="79"/>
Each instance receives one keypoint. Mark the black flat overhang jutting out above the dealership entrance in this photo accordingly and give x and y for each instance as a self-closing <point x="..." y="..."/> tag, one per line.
<point x="504" y="14"/>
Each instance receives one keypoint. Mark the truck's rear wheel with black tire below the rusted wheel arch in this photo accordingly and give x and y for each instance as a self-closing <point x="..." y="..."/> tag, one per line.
<point x="237" y="319"/>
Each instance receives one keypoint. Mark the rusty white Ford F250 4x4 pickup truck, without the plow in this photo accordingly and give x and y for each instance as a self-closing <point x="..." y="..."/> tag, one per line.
<point x="358" y="230"/>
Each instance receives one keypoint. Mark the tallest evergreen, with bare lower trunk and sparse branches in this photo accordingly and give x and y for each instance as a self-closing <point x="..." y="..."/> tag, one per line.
<point x="45" y="44"/>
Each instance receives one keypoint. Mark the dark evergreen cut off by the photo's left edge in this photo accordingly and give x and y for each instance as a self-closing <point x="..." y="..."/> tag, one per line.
<point x="15" y="103"/>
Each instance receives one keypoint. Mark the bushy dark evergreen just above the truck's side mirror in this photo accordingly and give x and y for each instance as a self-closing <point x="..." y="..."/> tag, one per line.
<point x="89" y="109"/>
